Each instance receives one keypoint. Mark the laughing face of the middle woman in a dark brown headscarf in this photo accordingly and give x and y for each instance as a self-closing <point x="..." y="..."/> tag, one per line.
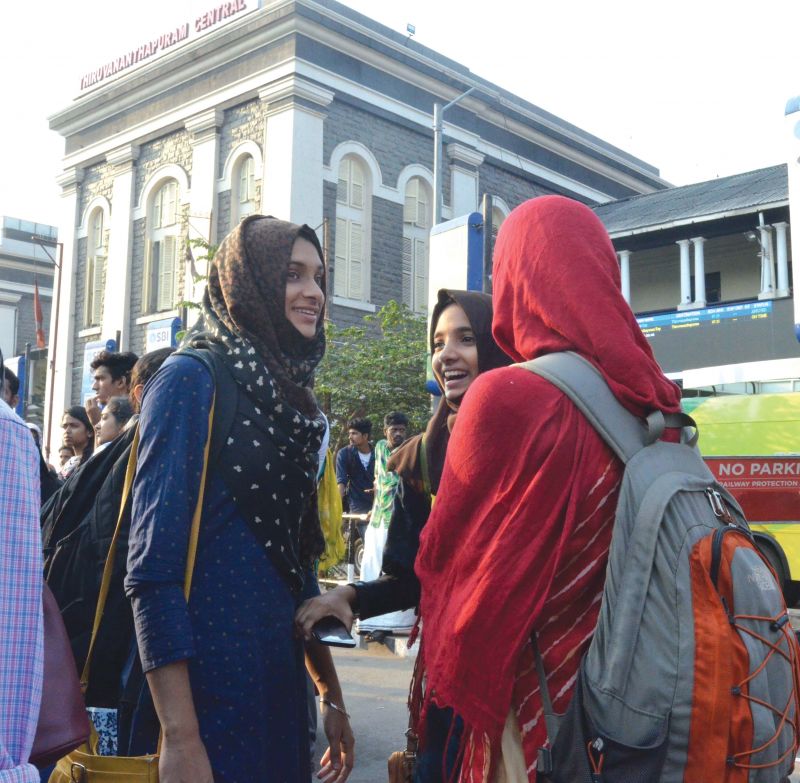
<point x="455" y="352"/>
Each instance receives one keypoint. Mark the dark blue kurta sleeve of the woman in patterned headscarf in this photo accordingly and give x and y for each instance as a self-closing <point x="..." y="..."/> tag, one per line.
<point x="172" y="430"/>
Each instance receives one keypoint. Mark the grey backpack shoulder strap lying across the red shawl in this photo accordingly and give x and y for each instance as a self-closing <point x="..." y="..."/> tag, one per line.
<point x="624" y="433"/>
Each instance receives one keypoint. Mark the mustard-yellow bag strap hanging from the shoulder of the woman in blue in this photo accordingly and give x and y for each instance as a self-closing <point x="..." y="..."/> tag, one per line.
<point x="194" y="533"/>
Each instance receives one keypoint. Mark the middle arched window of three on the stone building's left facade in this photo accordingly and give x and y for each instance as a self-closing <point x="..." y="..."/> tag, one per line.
<point x="162" y="263"/>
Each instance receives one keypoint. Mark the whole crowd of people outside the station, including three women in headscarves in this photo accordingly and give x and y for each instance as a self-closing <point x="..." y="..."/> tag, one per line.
<point x="206" y="644"/>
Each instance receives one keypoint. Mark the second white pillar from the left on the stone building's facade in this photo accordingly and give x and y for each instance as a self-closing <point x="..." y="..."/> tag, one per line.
<point x="117" y="305"/>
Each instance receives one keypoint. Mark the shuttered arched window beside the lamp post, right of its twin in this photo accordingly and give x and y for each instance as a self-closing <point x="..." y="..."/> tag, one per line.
<point x="416" y="227"/>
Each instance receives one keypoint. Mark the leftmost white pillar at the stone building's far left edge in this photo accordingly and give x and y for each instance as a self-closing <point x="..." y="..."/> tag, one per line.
<point x="62" y="327"/>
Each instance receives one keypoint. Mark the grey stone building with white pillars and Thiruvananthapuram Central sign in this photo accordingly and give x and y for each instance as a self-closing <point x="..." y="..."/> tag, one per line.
<point x="305" y="110"/>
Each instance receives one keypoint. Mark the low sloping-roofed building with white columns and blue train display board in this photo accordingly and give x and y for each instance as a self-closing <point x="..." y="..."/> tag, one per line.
<point x="707" y="269"/>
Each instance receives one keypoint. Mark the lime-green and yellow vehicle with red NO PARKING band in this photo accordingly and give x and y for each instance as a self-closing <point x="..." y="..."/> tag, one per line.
<point x="752" y="445"/>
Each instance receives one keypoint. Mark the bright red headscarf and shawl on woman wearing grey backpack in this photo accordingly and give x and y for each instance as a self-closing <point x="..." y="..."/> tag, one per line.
<point x="519" y="535"/>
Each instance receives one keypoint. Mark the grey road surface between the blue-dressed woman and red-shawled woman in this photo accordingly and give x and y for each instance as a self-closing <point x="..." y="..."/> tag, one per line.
<point x="375" y="685"/>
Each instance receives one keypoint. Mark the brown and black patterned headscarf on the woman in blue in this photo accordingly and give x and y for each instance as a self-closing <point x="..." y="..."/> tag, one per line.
<point x="269" y="464"/>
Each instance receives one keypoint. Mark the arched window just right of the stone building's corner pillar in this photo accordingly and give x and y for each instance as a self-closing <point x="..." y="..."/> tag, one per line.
<point x="351" y="275"/>
